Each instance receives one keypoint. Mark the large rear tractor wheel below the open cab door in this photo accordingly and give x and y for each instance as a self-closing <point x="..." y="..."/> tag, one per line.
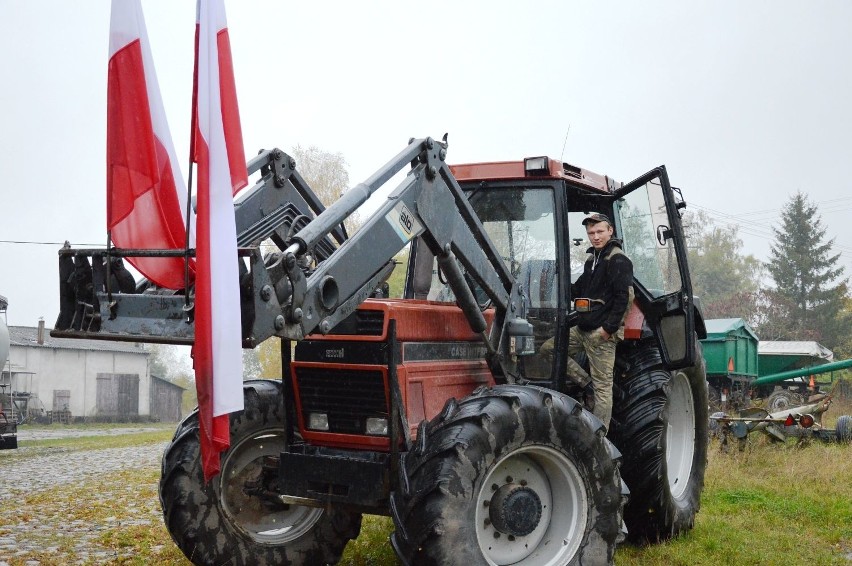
<point x="660" y="425"/>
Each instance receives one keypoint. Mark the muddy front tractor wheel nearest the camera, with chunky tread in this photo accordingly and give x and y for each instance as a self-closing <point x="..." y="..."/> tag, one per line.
<point x="511" y="475"/>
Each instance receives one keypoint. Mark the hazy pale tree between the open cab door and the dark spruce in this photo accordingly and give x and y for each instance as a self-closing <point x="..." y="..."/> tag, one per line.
<point x="726" y="280"/>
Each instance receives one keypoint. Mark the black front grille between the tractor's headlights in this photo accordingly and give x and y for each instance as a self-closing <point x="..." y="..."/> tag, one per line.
<point x="347" y="396"/>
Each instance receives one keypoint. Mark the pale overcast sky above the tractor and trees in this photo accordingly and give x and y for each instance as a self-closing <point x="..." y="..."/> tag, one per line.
<point x="745" y="102"/>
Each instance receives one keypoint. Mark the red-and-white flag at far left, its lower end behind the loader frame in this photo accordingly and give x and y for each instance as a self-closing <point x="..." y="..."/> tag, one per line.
<point x="146" y="194"/>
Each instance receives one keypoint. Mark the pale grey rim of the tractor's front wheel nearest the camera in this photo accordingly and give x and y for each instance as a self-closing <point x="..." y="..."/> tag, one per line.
<point x="559" y="529"/>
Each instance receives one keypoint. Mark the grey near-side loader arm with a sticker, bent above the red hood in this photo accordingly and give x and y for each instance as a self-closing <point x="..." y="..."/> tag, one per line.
<point x="428" y="203"/>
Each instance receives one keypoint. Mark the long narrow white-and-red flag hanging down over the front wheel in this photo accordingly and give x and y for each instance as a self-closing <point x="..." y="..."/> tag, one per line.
<point x="217" y="148"/>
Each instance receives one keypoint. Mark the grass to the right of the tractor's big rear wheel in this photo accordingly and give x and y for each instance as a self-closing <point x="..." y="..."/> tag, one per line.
<point x="771" y="504"/>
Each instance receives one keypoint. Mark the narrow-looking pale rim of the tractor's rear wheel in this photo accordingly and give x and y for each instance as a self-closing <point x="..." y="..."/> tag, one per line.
<point x="680" y="435"/>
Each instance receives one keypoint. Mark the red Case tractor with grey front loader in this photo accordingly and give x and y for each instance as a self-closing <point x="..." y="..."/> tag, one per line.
<point x="436" y="409"/>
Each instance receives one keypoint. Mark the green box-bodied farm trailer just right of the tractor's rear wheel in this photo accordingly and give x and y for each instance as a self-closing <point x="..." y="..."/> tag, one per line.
<point x="731" y="356"/>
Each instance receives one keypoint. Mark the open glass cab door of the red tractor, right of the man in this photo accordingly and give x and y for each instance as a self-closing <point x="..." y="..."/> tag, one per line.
<point x="647" y="215"/>
